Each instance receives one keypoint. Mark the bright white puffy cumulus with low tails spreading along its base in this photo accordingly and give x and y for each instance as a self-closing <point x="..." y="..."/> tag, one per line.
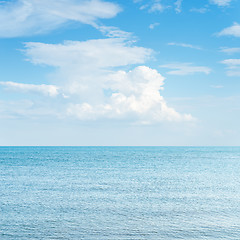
<point x="135" y="94"/>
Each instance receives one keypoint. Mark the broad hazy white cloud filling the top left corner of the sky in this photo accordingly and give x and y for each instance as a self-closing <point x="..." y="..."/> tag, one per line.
<point x="29" y="17"/>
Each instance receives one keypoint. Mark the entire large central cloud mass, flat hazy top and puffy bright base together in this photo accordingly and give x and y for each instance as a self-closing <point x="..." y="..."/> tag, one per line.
<point x="90" y="74"/>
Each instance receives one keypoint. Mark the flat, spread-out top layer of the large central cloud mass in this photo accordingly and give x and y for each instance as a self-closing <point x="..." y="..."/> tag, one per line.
<point x="100" y="53"/>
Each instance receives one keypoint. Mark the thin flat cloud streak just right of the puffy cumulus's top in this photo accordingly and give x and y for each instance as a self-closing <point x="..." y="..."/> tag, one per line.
<point x="185" y="69"/>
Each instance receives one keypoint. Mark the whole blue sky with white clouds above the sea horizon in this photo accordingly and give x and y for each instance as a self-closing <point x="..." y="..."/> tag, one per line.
<point x="119" y="73"/>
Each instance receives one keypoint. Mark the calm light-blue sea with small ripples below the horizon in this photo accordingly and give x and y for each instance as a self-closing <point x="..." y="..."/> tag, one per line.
<point x="119" y="193"/>
